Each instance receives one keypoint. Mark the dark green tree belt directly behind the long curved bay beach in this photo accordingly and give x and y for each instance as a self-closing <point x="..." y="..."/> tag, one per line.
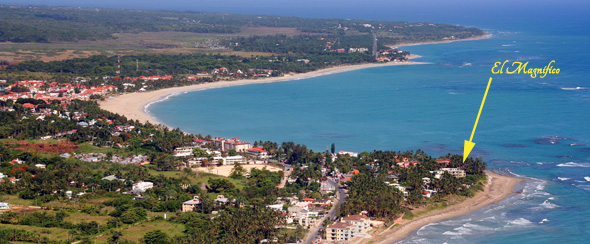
<point x="153" y="64"/>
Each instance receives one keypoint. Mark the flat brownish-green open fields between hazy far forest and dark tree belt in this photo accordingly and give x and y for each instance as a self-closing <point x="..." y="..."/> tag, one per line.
<point x="131" y="43"/>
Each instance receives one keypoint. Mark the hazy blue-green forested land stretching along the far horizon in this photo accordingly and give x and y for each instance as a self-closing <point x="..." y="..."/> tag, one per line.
<point x="49" y="24"/>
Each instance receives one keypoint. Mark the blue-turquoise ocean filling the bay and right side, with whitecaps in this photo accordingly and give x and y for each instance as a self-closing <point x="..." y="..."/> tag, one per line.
<point x="538" y="129"/>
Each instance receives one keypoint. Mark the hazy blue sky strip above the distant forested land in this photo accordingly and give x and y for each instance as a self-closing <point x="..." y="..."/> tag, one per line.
<point x="458" y="11"/>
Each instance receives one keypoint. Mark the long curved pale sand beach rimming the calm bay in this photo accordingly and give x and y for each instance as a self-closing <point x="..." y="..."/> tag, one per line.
<point x="135" y="105"/>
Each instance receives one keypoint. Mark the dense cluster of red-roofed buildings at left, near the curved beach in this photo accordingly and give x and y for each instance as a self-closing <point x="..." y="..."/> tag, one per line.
<point x="48" y="91"/>
